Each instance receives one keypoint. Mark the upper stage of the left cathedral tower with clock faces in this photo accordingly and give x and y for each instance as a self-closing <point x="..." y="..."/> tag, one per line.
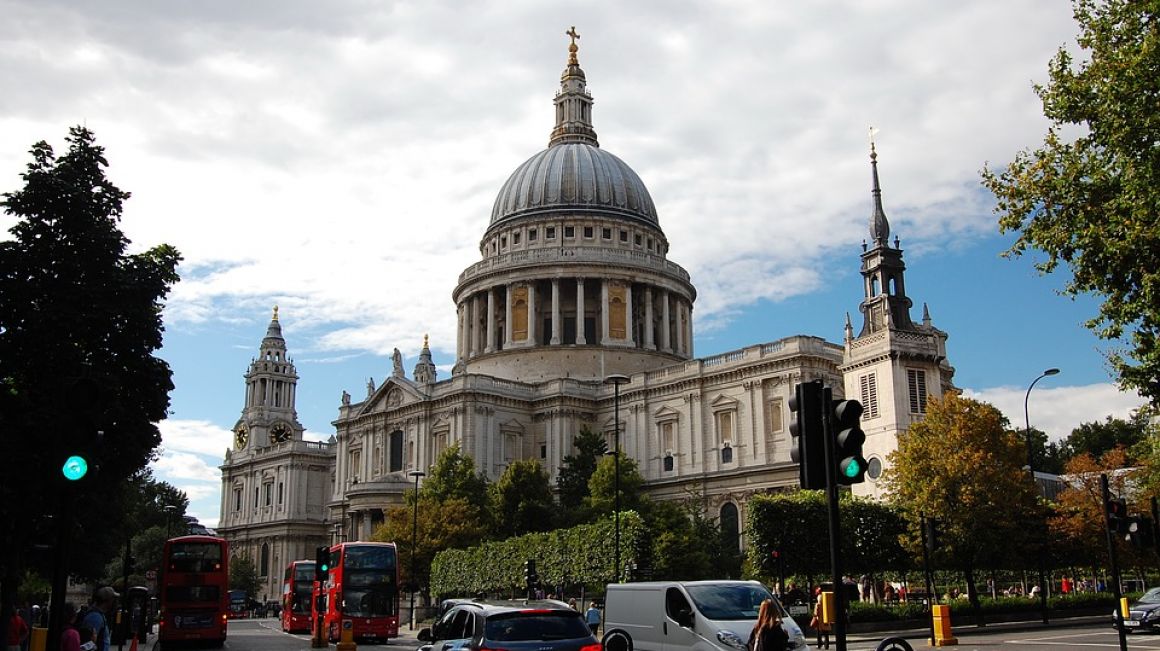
<point x="269" y="417"/>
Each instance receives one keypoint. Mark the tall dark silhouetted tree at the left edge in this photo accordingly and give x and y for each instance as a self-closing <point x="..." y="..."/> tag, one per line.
<point x="79" y="323"/>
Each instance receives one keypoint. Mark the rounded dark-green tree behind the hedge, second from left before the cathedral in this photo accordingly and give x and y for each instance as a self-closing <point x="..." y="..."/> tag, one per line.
<point x="523" y="500"/>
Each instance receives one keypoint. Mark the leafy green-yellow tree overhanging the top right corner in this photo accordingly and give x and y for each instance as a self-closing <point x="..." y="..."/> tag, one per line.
<point x="1090" y="197"/>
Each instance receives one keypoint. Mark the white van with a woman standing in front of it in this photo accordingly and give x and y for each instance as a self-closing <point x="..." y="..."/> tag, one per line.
<point x="688" y="617"/>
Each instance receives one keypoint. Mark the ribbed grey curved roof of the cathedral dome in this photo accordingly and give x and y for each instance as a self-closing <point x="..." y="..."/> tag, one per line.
<point x="570" y="177"/>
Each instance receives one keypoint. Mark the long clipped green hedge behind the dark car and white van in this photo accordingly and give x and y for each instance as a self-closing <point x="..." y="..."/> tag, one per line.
<point x="578" y="556"/>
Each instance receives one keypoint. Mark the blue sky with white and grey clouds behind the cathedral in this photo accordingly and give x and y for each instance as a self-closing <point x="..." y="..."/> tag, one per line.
<point x="340" y="161"/>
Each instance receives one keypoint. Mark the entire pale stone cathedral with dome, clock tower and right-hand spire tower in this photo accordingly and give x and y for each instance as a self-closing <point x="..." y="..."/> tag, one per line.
<point x="574" y="286"/>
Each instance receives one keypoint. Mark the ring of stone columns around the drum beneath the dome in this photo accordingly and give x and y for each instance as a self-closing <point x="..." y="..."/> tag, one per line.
<point x="527" y="314"/>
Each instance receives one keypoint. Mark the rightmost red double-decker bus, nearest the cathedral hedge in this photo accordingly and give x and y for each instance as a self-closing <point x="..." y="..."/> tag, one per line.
<point x="362" y="587"/>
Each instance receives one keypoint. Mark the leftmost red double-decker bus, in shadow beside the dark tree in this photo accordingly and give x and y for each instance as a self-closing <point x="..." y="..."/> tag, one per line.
<point x="194" y="591"/>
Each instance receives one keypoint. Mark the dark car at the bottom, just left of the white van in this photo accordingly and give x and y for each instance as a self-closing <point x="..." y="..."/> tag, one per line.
<point x="513" y="626"/>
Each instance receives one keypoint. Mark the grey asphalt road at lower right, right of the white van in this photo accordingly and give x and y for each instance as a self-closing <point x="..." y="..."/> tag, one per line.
<point x="995" y="638"/>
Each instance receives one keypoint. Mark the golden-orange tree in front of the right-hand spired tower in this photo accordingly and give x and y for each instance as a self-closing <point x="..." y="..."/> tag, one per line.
<point x="965" y="468"/>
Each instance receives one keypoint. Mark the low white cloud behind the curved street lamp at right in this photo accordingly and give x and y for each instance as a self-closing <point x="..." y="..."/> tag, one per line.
<point x="1058" y="410"/>
